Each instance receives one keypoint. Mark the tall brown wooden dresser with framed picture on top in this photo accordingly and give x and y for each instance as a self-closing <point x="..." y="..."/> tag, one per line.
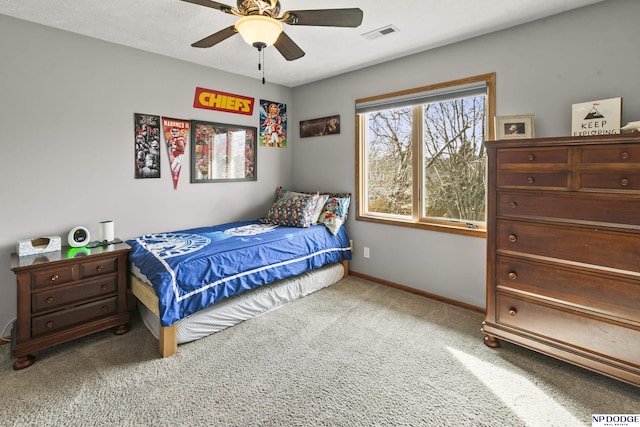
<point x="563" y="249"/>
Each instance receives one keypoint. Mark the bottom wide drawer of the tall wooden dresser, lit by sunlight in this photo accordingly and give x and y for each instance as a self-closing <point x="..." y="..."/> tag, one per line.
<point x="570" y="328"/>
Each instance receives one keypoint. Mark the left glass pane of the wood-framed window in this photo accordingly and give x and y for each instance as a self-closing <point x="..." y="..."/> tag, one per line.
<point x="388" y="151"/>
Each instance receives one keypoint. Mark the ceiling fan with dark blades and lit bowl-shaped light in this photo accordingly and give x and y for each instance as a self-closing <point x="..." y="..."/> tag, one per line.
<point x="261" y="24"/>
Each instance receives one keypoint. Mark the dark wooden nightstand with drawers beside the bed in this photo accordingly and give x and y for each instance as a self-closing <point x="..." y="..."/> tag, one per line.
<point x="67" y="294"/>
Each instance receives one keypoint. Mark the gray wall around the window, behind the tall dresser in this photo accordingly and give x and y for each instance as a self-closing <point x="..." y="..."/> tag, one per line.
<point x="541" y="68"/>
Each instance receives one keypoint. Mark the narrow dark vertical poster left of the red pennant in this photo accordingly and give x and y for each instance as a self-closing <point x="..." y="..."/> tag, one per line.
<point x="147" y="146"/>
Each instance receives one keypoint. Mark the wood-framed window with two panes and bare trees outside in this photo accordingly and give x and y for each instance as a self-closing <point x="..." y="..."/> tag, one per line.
<point x="421" y="159"/>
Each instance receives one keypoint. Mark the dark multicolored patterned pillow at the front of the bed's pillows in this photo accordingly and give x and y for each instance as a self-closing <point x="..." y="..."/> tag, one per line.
<point x="292" y="210"/>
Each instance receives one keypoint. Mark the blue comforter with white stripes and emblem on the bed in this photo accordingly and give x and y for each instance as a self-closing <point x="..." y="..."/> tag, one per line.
<point x="192" y="269"/>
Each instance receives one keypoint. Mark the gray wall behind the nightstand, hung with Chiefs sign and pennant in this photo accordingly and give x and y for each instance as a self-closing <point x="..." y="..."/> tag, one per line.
<point x="66" y="114"/>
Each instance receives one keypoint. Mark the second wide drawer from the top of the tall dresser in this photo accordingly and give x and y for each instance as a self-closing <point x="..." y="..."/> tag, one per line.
<point x="618" y="250"/>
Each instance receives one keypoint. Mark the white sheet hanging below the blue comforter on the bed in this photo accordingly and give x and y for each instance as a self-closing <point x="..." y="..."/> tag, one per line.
<point x="247" y="305"/>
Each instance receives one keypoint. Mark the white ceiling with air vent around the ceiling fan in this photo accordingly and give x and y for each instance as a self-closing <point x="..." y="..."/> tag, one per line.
<point x="168" y="27"/>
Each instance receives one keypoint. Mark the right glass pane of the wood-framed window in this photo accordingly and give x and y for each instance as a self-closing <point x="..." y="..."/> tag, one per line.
<point x="454" y="160"/>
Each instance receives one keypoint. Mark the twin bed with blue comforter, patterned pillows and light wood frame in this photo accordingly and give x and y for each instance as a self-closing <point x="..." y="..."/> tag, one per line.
<point x="191" y="283"/>
